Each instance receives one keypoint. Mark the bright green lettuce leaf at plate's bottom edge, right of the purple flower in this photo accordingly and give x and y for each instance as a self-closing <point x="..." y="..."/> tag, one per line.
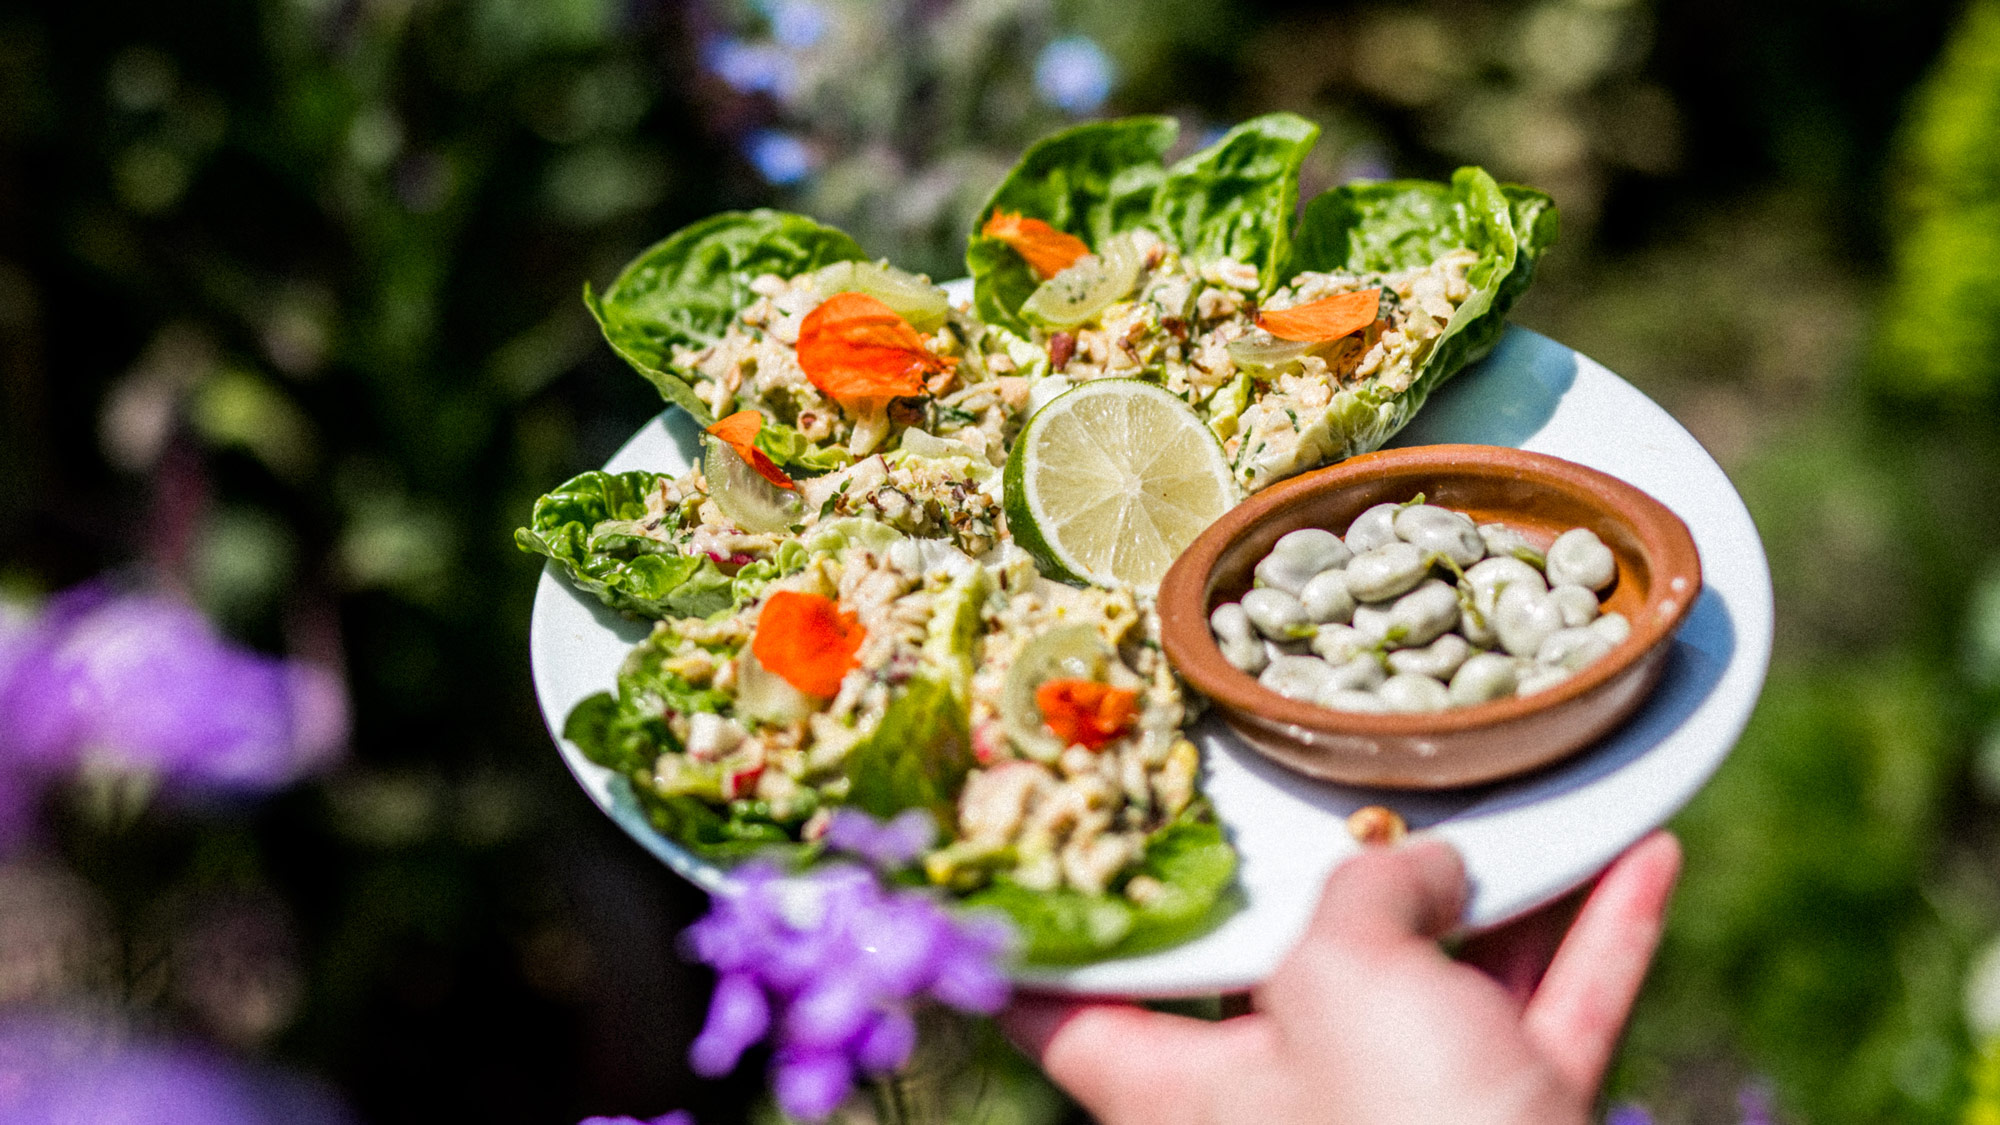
<point x="1191" y="860"/>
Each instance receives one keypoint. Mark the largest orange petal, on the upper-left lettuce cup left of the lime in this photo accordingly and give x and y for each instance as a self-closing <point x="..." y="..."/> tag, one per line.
<point x="855" y="347"/>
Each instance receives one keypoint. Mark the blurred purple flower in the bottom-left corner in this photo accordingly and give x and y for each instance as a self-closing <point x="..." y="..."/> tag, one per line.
<point x="59" y="1070"/>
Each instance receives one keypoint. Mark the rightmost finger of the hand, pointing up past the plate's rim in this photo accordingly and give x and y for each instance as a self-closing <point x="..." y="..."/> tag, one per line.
<point x="1585" y="998"/>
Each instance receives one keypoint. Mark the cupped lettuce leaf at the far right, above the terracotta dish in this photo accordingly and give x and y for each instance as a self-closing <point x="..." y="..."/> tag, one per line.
<point x="1399" y="225"/>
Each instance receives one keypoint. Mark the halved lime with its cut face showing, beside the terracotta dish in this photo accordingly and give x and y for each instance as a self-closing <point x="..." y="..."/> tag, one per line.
<point x="1113" y="481"/>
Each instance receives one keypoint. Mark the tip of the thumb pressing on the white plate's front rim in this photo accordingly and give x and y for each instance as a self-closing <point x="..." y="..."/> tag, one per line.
<point x="1391" y="898"/>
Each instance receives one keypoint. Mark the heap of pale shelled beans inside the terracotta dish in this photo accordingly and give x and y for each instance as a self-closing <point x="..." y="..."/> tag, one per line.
<point x="1421" y="610"/>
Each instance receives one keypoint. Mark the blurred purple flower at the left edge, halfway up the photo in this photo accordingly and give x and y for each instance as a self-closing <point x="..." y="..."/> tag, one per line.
<point x="141" y="684"/>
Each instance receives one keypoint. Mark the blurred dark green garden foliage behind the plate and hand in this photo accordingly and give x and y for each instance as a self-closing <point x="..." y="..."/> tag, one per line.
<point x="289" y="323"/>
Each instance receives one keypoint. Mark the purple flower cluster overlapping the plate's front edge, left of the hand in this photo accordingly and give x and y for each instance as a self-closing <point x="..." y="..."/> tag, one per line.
<point x="831" y="966"/>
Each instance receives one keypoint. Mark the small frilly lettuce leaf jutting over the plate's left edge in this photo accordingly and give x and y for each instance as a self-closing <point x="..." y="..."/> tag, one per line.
<point x="589" y="527"/>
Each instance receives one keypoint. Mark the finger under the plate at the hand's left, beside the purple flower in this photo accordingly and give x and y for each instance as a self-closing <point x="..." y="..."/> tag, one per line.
<point x="1127" y="1064"/>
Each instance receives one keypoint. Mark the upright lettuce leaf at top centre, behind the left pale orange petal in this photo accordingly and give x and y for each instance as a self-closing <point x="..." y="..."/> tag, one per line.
<point x="1091" y="181"/>
